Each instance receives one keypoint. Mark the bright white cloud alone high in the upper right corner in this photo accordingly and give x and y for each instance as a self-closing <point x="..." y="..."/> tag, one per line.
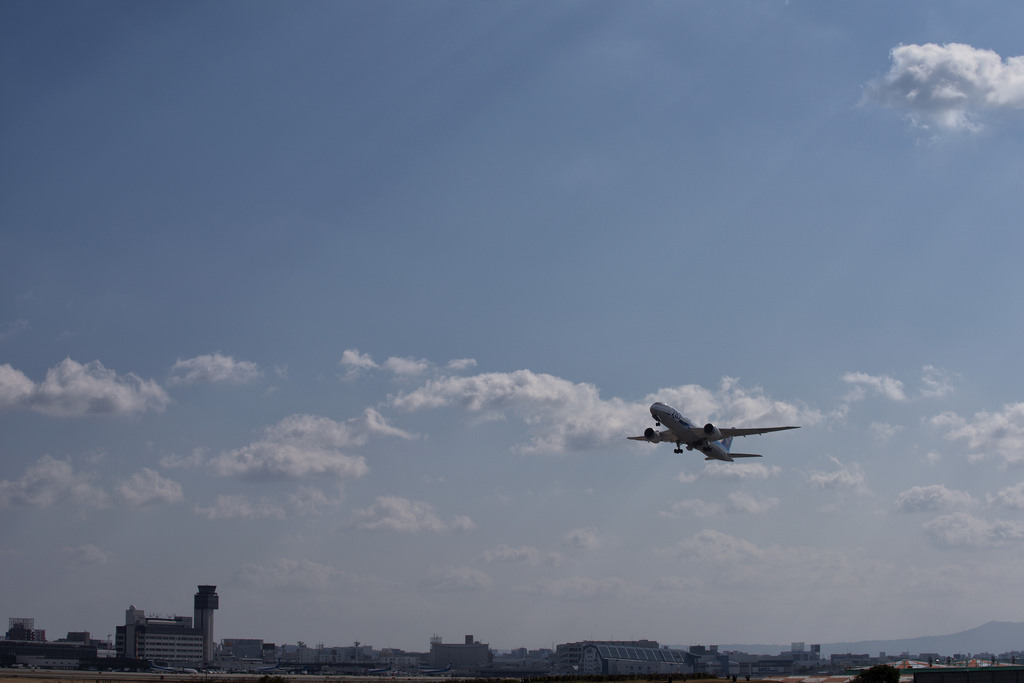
<point x="950" y="87"/>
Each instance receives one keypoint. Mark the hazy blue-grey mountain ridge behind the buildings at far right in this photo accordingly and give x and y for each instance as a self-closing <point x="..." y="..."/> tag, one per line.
<point x="995" y="638"/>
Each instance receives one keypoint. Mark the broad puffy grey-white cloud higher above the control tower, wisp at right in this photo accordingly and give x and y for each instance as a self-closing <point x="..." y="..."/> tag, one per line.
<point x="300" y="446"/>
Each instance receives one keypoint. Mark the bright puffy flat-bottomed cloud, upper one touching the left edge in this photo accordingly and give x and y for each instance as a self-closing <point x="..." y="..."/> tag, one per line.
<point x="73" y="390"/>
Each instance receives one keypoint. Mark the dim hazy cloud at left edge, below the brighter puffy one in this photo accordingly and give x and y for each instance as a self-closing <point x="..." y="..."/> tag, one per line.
<point x="49" y="483"/>
